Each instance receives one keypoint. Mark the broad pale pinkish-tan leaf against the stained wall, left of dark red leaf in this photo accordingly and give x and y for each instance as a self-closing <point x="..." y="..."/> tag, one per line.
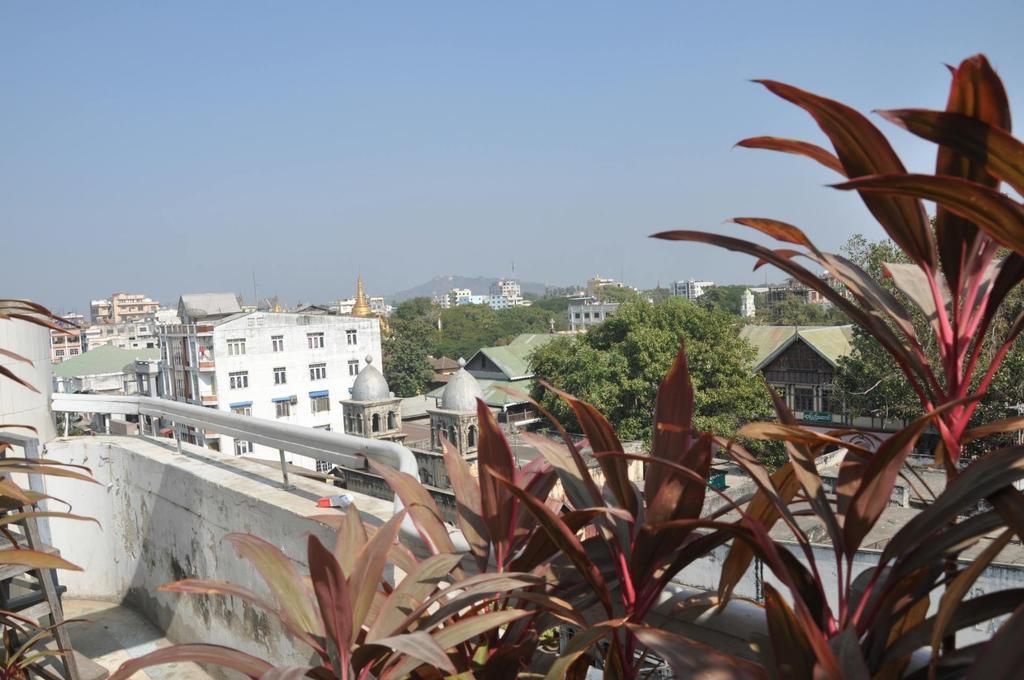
<point x="282" y="578"/>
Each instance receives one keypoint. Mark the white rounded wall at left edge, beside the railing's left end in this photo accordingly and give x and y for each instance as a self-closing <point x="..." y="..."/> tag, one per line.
<point x="20" y="405"/>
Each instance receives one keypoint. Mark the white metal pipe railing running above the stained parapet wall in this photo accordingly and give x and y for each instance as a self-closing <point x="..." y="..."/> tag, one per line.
<point x="339" y="449"/>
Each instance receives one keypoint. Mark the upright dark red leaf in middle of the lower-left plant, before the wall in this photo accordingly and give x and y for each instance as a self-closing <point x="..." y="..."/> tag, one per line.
<point x="334" y="600"/>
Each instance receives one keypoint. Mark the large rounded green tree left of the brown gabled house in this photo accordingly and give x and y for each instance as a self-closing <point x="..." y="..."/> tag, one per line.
<point x="619" y="365"/>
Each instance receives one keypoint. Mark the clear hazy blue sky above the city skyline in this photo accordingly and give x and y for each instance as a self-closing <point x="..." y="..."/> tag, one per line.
<point x="170" y="148"/>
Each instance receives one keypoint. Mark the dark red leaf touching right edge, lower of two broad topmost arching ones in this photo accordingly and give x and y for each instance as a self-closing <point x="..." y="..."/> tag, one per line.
<point x="996" y="215"/>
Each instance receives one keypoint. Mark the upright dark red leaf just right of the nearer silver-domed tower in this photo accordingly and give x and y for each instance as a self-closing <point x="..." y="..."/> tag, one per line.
<point x="496" y="461"/>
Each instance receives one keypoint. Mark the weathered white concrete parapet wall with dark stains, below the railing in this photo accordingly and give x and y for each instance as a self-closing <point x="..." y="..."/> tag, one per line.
<point x="164" y="518"/>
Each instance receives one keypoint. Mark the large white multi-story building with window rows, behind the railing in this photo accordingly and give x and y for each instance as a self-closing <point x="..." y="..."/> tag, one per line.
<point x="289" y="367"/>
